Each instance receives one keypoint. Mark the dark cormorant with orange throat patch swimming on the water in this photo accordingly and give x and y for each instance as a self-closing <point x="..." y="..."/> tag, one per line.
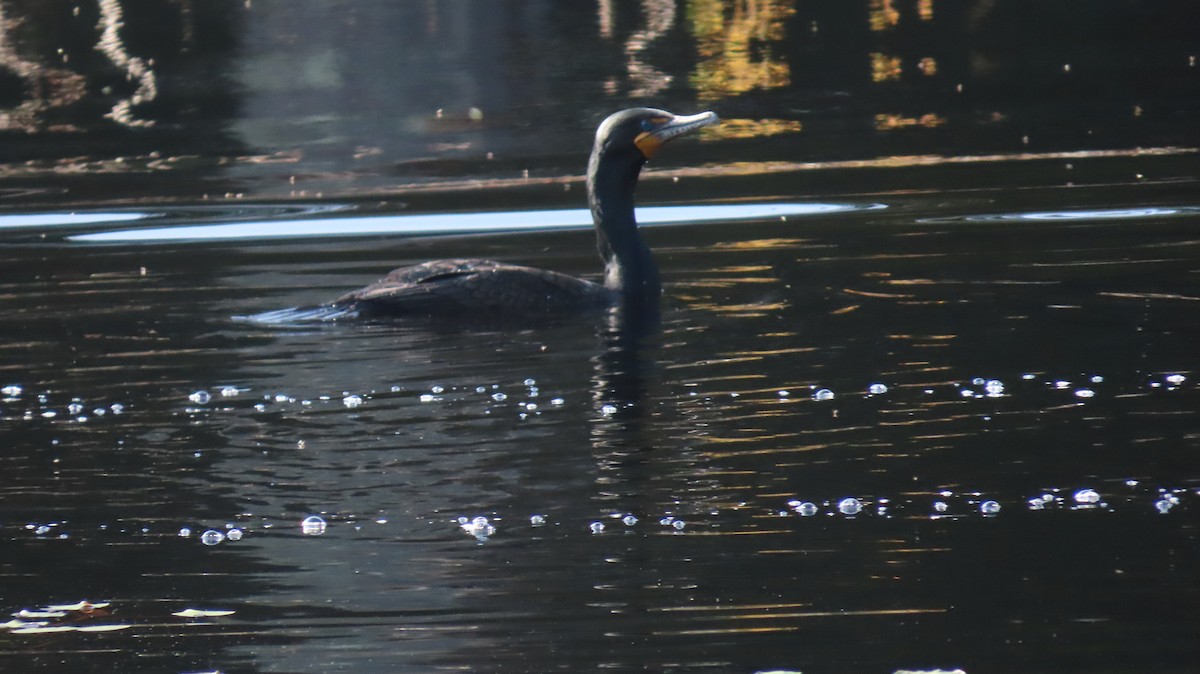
<point x="623" y="145"/>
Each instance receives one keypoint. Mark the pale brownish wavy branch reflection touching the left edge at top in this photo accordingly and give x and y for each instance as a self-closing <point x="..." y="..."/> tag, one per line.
<point x="50" y="88"/>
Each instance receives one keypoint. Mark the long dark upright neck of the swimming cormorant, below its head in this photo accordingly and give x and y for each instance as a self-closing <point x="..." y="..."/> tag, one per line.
<point x="629" y="268"/>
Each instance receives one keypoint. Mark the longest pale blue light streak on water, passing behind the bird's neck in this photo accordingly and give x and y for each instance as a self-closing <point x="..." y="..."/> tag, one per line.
<point x="455" y="224"/>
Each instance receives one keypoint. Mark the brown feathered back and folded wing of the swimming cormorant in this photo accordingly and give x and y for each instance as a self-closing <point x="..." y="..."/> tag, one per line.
<point x="481" y="286"/>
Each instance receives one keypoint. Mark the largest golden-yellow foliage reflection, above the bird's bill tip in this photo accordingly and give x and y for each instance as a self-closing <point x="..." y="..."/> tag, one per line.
<point x="734" y="40"/>
